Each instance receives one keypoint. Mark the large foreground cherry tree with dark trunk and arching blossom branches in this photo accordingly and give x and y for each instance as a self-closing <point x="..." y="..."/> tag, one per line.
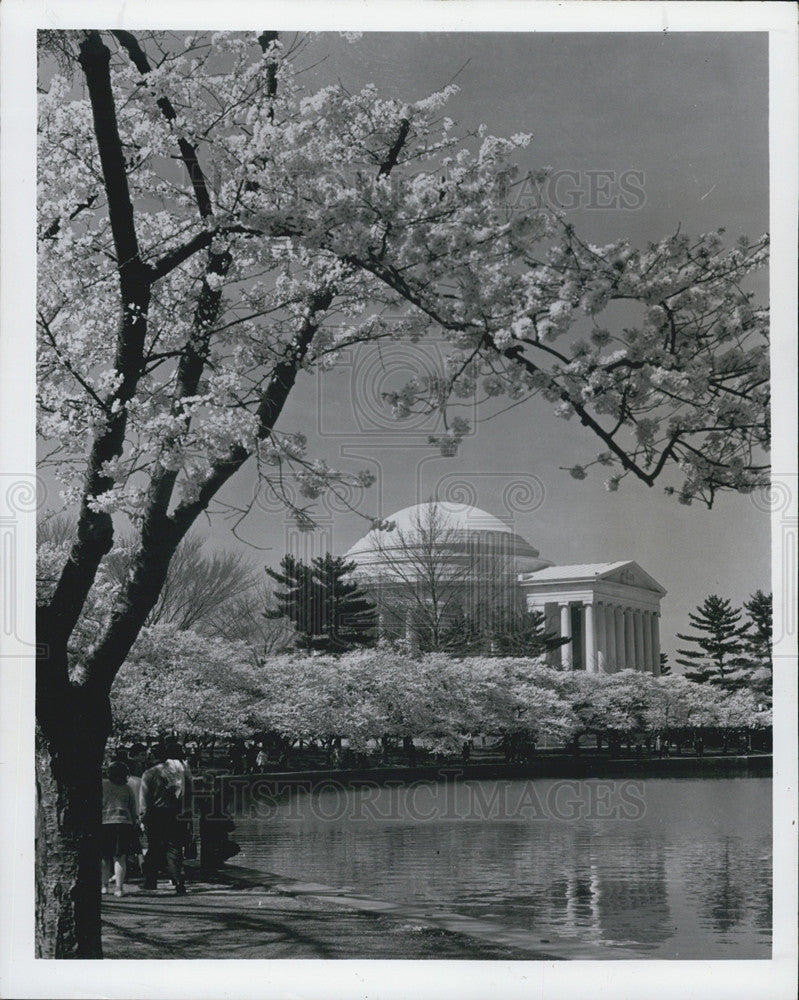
<point x="209" y="230"/>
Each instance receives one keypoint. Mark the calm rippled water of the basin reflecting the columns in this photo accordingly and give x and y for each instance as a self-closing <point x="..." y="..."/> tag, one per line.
<point x="669" y="868"/>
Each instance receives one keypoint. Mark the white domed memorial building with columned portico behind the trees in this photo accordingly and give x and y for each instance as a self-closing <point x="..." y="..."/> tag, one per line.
<point x="609" y="612"/>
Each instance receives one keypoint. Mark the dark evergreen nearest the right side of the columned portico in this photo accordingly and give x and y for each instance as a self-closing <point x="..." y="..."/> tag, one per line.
<point x="718" y="658"/>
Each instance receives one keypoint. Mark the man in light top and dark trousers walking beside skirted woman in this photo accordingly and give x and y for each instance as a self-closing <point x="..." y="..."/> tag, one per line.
<point x="165" y="790"/>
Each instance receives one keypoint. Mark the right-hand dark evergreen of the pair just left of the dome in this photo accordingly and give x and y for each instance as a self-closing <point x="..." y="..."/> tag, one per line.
<point x="349" y="618"/>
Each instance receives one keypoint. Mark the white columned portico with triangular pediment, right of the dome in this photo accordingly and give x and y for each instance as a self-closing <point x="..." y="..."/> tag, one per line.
<point x="610" y="612"/>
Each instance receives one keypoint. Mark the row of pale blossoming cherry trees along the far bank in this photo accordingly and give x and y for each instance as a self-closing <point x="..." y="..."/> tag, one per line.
<point x="380" y="694"/>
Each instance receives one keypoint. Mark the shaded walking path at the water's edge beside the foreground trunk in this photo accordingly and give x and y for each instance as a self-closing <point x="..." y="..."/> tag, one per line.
<point x="262" y="916"/>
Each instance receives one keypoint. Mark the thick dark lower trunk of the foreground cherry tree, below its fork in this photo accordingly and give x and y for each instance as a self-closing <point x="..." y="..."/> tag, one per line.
<point x="69" y="753"/>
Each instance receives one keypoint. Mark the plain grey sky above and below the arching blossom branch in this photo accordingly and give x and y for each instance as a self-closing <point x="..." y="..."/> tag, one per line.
<point x="684" y="118"/>
